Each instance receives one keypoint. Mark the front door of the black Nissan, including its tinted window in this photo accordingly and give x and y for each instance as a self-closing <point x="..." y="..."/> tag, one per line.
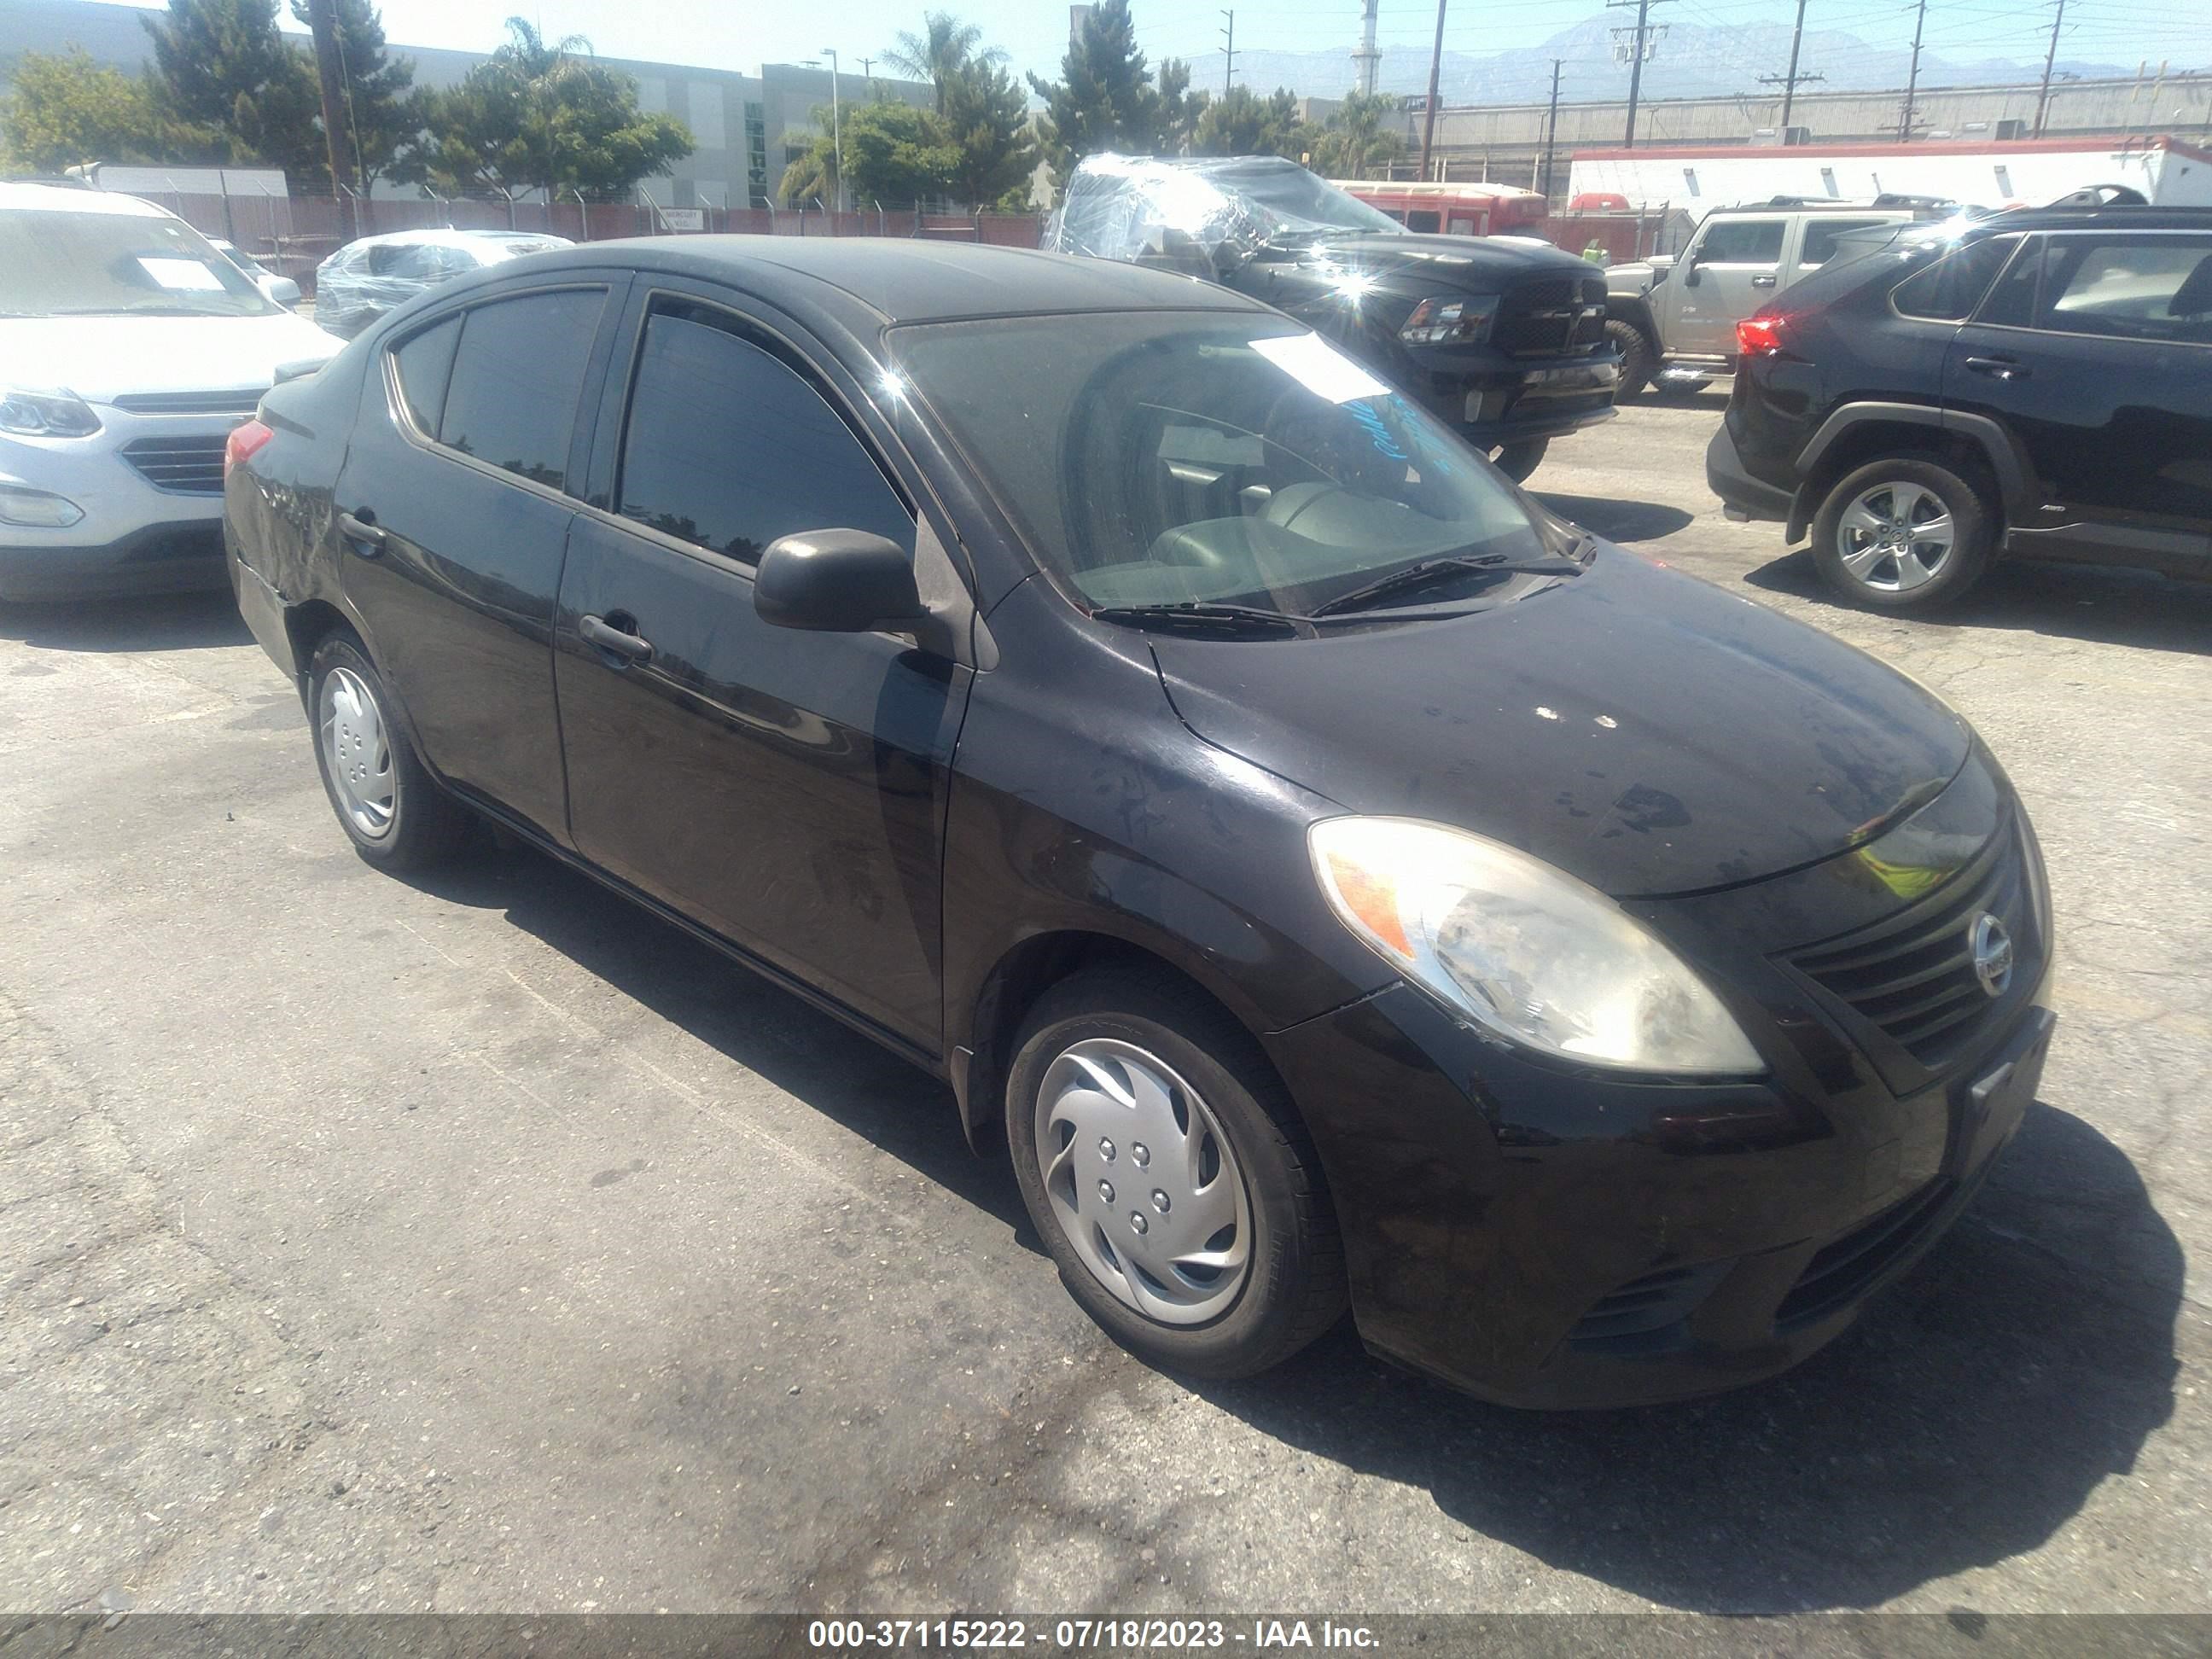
<point x="782" y="789"/>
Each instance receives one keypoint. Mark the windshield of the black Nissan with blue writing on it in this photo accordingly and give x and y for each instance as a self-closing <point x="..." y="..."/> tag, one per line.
<point x="1204" y="459"/>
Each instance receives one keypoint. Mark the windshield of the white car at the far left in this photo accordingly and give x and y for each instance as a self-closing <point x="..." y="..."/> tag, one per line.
<point x="116" y="264"/>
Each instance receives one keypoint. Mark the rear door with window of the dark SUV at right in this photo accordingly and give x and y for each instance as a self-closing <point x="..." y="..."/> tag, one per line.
<point x="2096" y="351"/>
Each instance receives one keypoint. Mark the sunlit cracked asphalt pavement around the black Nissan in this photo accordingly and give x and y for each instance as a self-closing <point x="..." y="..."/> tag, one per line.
<point x="479" y="1244"/>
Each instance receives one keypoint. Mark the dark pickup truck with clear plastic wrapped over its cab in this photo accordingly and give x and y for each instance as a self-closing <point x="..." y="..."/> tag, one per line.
<point x="1503" y="340"/>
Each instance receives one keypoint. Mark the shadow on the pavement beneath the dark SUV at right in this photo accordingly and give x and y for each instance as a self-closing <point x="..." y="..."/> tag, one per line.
<point x="2094" y="603"/>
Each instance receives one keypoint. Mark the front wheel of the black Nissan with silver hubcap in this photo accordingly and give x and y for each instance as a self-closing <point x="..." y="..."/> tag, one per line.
<point x="1083" y="1065"/>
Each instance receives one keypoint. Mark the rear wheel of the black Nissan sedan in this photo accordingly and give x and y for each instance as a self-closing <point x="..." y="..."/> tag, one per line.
<point x="388" y="804"/>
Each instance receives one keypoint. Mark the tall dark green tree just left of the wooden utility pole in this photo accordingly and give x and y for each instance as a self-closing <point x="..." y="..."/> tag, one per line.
<point x="236" y="87"/>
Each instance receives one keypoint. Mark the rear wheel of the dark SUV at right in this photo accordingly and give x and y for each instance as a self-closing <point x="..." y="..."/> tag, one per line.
<point x="1875" y="536"/>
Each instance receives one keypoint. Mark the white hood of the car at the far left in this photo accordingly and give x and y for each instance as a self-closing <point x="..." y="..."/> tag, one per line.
<point x="107" y="357"/>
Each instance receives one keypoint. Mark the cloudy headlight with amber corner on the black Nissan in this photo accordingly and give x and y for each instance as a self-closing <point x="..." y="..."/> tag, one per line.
<point x="1523" y="948"/>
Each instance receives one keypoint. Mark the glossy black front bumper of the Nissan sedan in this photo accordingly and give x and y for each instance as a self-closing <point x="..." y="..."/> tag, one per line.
<point x="1552" y="1238"/>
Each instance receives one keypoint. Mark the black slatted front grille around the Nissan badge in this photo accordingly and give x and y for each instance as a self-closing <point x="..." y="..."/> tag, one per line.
<point x="1914" y="979"/>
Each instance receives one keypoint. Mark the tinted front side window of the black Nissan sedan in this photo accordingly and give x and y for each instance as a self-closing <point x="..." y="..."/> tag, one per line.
<point x="729" y="448"/>
